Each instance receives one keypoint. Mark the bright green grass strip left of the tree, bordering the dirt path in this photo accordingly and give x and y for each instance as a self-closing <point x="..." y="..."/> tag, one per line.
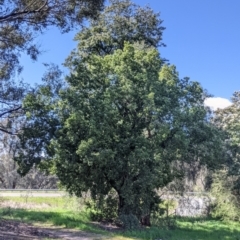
<point x="68" y="219"/>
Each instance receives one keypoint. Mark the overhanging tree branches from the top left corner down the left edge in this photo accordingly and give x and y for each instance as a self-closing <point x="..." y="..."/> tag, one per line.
<point x="20" y="22"/>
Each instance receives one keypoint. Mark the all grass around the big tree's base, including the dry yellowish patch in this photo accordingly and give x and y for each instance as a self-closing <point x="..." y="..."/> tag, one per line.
<point x="59" y="215"/>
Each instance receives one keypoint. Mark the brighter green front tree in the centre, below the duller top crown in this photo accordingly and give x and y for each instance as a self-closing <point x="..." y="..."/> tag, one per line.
<point x="126" y="127"/>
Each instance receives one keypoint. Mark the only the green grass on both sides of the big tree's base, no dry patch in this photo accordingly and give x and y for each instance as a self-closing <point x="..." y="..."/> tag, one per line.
<point x="187" y="228"/>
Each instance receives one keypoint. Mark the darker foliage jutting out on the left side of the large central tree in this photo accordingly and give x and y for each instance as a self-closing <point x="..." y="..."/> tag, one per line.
<point x="41" y="123"/>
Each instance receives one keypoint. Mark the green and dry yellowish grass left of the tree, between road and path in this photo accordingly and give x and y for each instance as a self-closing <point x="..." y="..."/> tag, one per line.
<point x="58" y="211"/>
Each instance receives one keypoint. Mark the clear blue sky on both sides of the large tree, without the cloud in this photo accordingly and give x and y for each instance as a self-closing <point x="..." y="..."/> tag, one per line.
<point x="202" y="38"/>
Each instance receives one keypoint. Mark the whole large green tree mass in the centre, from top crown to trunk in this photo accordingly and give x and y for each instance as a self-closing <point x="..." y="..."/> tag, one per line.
<point x="123" y="117"/>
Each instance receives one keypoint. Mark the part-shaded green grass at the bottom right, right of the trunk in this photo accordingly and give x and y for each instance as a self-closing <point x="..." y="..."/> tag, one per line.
<point x="191" y="229"/>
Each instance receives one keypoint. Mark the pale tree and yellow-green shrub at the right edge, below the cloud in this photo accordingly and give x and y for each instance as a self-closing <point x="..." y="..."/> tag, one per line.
<point x="225" y="184"/>
